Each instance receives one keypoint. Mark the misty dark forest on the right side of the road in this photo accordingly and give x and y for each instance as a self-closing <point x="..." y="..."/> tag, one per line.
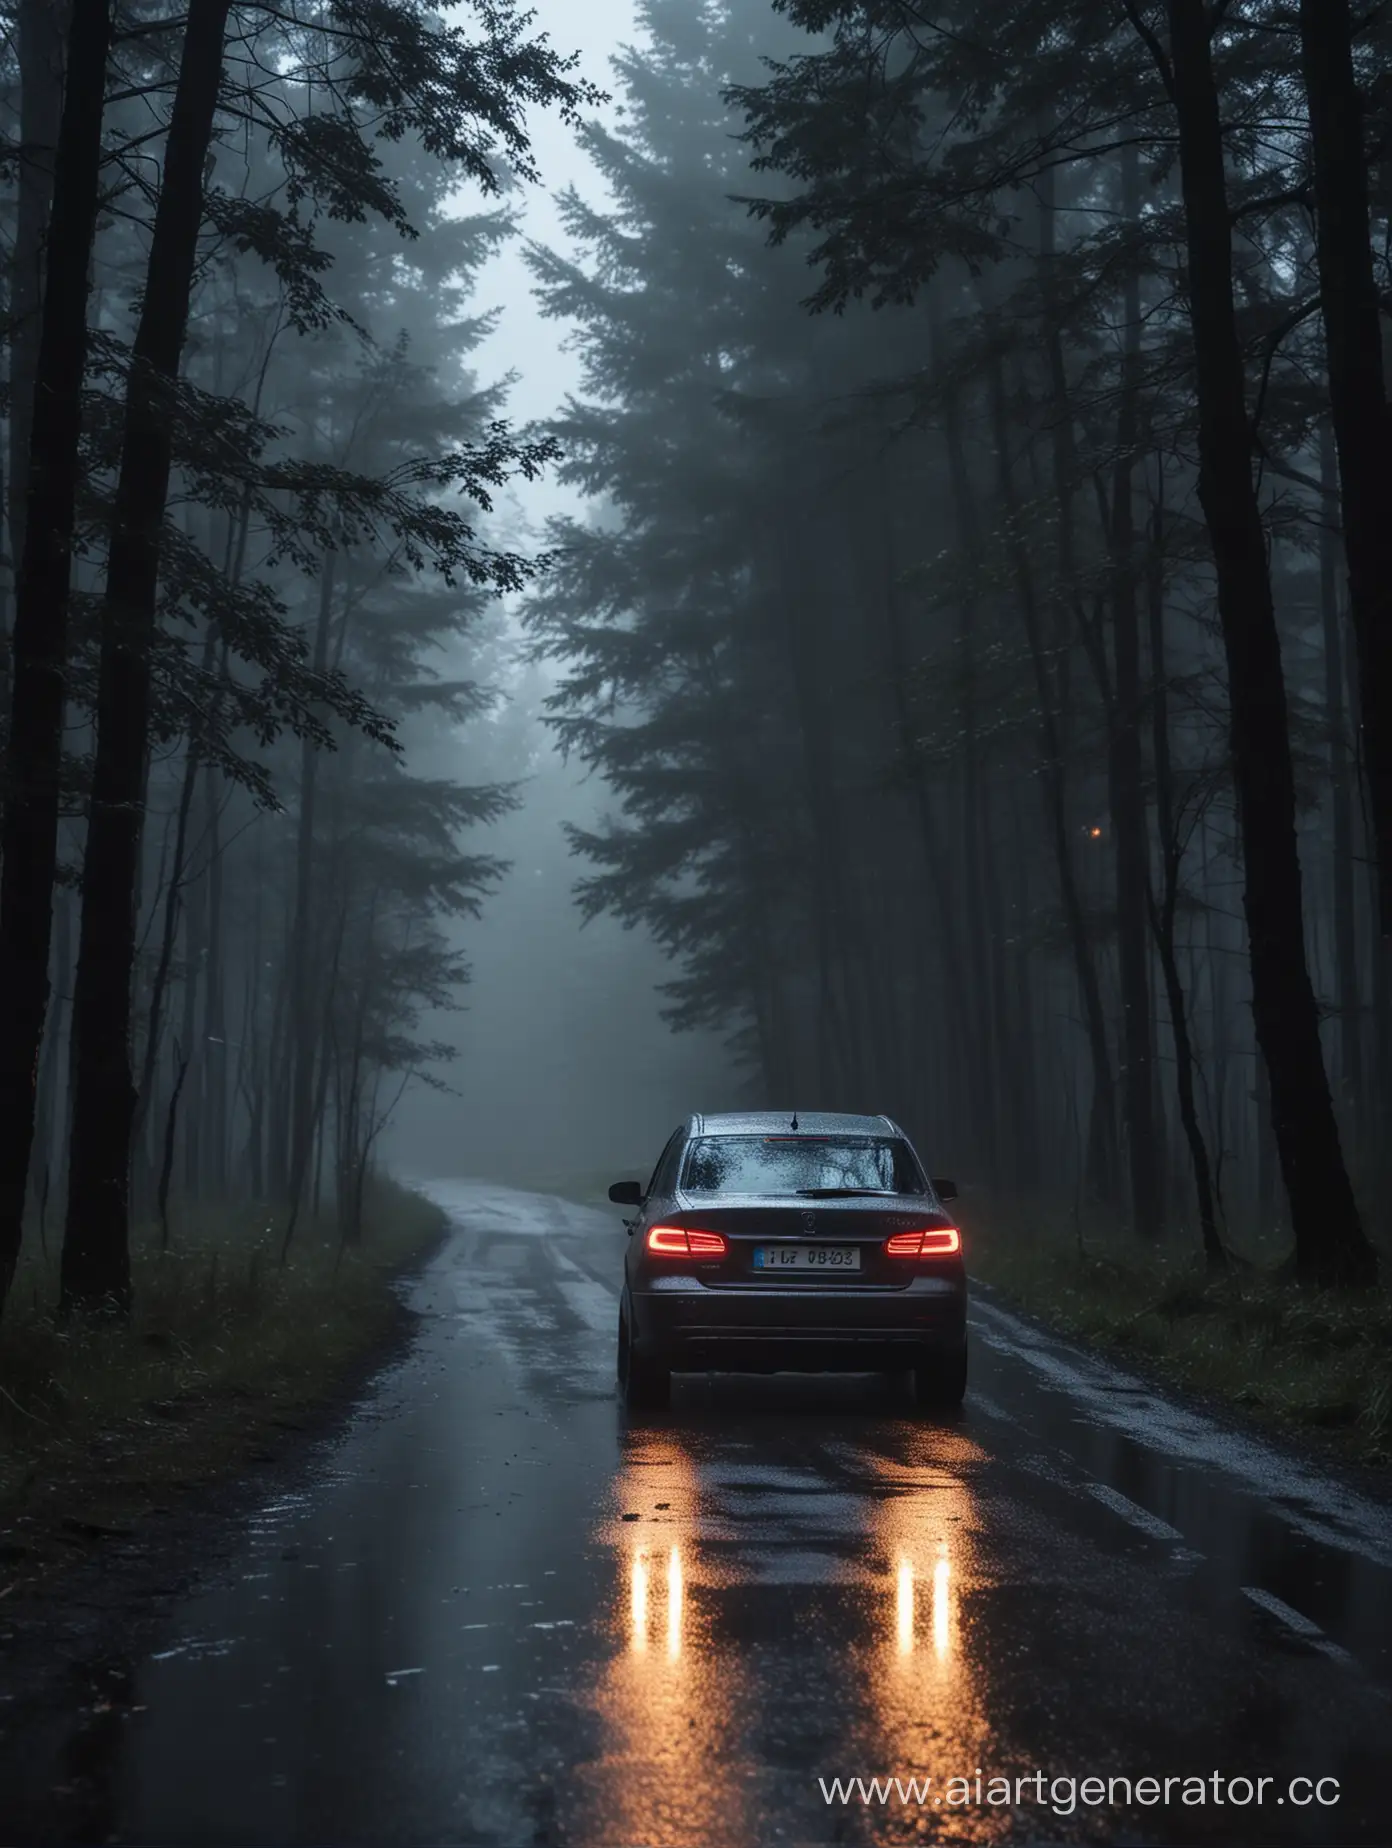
<point x="988" y="635"/>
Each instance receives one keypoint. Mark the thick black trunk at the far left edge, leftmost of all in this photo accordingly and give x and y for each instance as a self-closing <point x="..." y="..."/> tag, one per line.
<point x="40" y="642"/>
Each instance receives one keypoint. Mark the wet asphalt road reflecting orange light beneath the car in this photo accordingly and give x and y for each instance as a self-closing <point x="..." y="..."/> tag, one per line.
<point x="504" y="1614"/>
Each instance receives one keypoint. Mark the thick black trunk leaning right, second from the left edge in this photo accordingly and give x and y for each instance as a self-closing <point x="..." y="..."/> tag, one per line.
<point x="97" y="1237"/>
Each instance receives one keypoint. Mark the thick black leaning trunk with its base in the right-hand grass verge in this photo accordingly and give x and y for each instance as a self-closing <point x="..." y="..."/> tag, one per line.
<point x="1330" y="1241"/>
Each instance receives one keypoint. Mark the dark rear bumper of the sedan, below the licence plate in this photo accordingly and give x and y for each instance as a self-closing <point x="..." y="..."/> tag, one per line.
<point x="766" y="1331"/>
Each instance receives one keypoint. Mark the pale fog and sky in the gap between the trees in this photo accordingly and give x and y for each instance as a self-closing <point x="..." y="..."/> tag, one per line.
<point x="565" y="1064"/>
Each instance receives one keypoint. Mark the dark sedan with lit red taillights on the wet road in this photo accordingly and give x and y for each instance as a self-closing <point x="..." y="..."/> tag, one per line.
<point x="772" y="1243"/>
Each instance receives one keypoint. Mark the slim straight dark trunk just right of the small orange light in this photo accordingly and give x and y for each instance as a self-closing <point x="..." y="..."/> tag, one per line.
<point x="1127" y="770"/>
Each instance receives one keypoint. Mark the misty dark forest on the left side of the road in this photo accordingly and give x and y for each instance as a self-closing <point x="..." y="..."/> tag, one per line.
<point x="249" y="467"/>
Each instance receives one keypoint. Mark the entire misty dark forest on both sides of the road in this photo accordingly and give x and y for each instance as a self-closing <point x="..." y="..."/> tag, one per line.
<point x="981" y="626"/>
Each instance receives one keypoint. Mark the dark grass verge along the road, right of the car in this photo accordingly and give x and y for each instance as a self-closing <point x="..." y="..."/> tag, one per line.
<point x="1312" y="1363"/>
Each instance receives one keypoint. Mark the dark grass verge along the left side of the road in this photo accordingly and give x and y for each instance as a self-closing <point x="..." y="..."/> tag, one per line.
<point x="225" y="1352"/>
